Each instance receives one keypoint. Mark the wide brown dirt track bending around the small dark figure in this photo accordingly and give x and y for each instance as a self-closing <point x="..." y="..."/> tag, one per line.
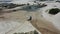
<point x="41" y="24"/>
